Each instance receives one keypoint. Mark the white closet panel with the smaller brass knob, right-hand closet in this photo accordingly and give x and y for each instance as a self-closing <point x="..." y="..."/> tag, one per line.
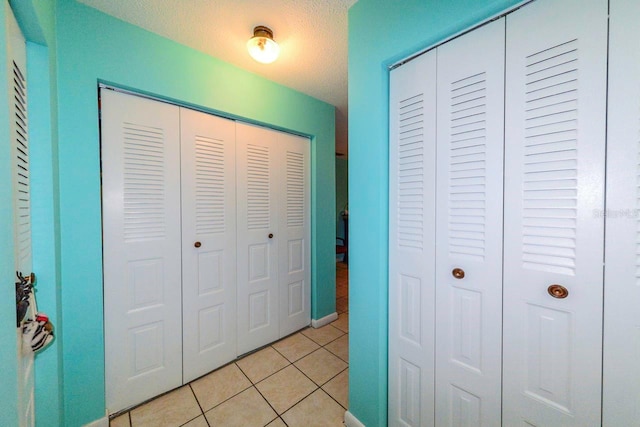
<point x="469" y="228"/>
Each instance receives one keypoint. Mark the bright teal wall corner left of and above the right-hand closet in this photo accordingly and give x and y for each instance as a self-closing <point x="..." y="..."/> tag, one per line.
<point x="401" y="28"/>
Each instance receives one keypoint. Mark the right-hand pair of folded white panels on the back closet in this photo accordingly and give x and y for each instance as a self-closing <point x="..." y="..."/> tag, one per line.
<point x="274" y="234"/>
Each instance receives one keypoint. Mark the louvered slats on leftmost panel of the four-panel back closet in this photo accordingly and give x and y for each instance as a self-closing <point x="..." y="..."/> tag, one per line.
<point x="144" y="182"/>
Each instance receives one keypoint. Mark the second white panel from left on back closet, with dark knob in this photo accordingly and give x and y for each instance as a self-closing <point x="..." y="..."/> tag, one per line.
<point x="208" y="242"/>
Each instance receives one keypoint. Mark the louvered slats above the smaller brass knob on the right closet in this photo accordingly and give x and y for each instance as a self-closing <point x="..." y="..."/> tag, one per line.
<point x="467" y="167"/>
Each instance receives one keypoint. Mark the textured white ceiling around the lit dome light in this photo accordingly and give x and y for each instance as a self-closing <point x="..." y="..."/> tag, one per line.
<point x="312" y="35"/>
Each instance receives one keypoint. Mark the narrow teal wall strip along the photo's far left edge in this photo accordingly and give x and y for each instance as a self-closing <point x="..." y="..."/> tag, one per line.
<point x="8" y="350"/>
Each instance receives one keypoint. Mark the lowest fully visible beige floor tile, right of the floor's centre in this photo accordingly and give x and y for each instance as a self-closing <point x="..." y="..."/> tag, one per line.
<point x="285" y="388"/>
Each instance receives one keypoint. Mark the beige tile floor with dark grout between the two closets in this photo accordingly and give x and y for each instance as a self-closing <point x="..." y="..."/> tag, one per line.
<point x="301" y="380"/>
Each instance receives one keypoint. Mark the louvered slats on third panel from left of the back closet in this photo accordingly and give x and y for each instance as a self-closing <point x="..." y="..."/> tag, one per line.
<point x="258" y="188"/>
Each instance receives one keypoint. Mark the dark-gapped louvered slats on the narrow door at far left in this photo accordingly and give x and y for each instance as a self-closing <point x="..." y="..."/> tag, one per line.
<point x="23" y="192"/>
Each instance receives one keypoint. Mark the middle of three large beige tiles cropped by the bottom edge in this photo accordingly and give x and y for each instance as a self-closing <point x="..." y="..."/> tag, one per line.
<point x="245" y="409"/>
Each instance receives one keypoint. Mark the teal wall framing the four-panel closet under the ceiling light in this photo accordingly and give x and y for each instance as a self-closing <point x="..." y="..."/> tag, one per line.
<point x="93" y="47"/>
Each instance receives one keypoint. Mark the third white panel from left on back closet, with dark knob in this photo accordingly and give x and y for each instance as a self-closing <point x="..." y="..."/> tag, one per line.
<point x="257" y="220"/>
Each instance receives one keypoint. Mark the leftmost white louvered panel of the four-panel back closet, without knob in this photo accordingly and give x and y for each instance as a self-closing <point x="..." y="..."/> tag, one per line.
<point x="141" y="239"/>
